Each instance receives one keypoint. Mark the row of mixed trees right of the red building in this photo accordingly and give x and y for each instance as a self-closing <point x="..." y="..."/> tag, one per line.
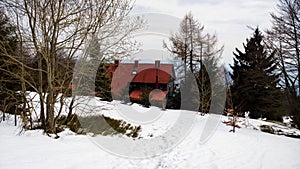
<point x="264" y="77"/>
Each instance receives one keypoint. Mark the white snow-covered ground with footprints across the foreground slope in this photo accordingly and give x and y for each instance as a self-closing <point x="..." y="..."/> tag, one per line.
<point x="247" y="148"/>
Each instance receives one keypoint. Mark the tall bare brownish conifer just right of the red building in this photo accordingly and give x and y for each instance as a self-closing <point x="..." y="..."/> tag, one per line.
<point x="200" y="54"/>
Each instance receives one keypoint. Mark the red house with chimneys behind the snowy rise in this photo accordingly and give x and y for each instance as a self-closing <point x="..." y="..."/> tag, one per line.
<point x="128" y="79"/>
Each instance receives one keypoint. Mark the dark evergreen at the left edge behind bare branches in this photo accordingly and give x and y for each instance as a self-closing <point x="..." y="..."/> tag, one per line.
<point x="8" y="49"/>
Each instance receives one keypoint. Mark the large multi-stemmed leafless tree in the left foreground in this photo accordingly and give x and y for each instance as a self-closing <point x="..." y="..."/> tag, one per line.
<point x="50" y="27"/>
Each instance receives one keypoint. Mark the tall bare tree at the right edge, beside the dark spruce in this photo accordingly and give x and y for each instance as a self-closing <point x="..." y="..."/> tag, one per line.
<point x="284" y="37"/>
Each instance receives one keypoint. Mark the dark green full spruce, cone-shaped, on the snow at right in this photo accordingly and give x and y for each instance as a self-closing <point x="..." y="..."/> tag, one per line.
<point x="255" y="81"/>
